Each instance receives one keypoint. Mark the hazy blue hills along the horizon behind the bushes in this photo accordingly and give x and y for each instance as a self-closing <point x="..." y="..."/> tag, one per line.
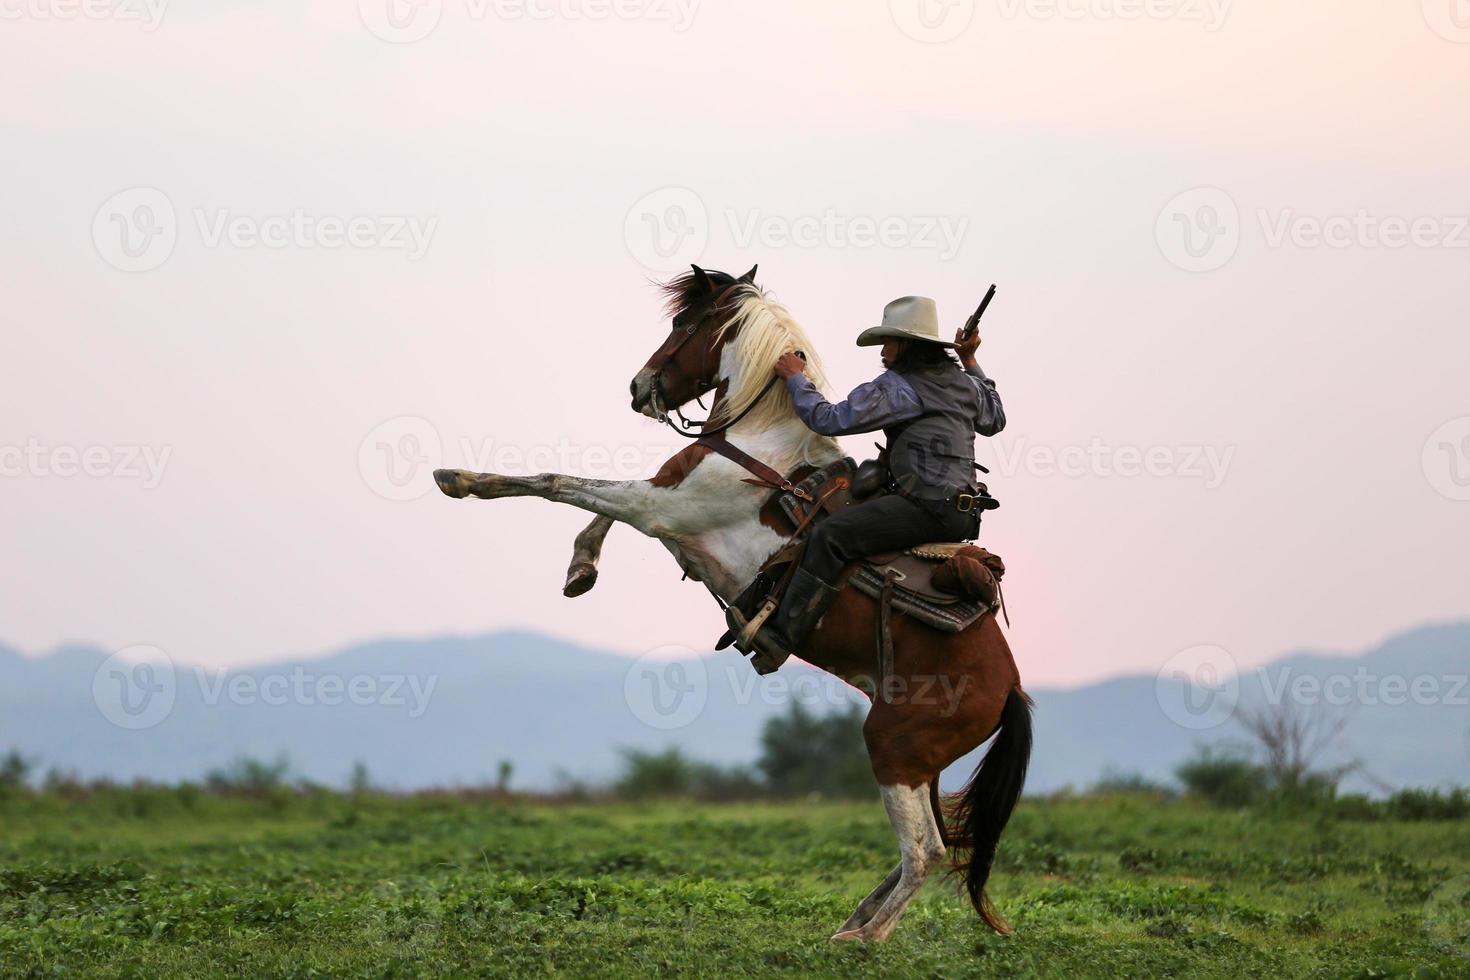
<point x="446" y="712"/>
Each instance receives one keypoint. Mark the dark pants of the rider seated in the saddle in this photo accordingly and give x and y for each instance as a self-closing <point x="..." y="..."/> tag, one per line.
<point x="878" y="527"/>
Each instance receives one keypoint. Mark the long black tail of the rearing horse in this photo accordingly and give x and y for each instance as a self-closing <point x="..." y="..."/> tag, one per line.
<point x="986" y="804"/>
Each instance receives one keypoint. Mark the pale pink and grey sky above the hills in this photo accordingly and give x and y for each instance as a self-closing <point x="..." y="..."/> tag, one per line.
<point x="267" y="264"/>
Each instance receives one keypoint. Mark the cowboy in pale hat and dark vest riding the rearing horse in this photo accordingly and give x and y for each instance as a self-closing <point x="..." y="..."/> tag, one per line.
<point x="930" y="412"/>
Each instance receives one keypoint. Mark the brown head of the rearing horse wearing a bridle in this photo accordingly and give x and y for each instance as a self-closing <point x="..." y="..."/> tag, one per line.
<point x="689" y="364"/>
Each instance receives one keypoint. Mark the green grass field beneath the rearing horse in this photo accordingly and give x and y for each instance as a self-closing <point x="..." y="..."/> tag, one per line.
<point x="180" y="884"/>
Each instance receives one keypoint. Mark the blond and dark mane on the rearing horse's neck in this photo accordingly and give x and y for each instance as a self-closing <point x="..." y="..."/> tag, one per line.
<point x="765" y="330"/>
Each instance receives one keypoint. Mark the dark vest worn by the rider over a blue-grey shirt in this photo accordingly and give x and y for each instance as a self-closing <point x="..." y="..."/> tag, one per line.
<point x="934" y="455"/>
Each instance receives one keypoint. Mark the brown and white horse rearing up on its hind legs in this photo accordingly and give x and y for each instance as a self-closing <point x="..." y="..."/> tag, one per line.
<point x="727" y="337"/>
